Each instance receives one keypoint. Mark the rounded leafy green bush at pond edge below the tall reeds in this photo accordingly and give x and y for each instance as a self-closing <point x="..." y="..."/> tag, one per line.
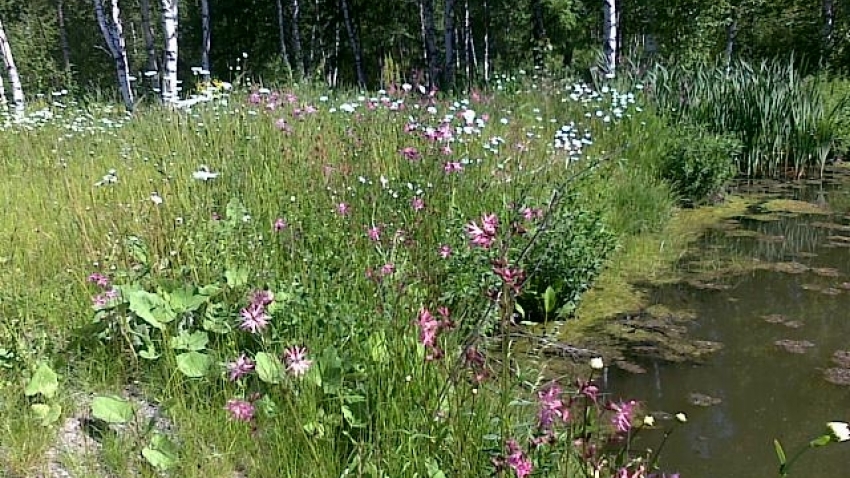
<point x="698" y="164"/>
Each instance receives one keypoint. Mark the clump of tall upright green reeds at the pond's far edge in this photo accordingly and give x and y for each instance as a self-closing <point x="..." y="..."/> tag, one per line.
<point x="780" y="117"/>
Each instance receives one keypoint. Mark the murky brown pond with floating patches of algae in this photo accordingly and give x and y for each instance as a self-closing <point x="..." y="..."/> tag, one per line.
<point x="782" y="316"/>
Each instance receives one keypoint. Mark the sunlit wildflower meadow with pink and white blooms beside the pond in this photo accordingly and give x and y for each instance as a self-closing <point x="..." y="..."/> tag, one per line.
<point x="303" y="282"/>
